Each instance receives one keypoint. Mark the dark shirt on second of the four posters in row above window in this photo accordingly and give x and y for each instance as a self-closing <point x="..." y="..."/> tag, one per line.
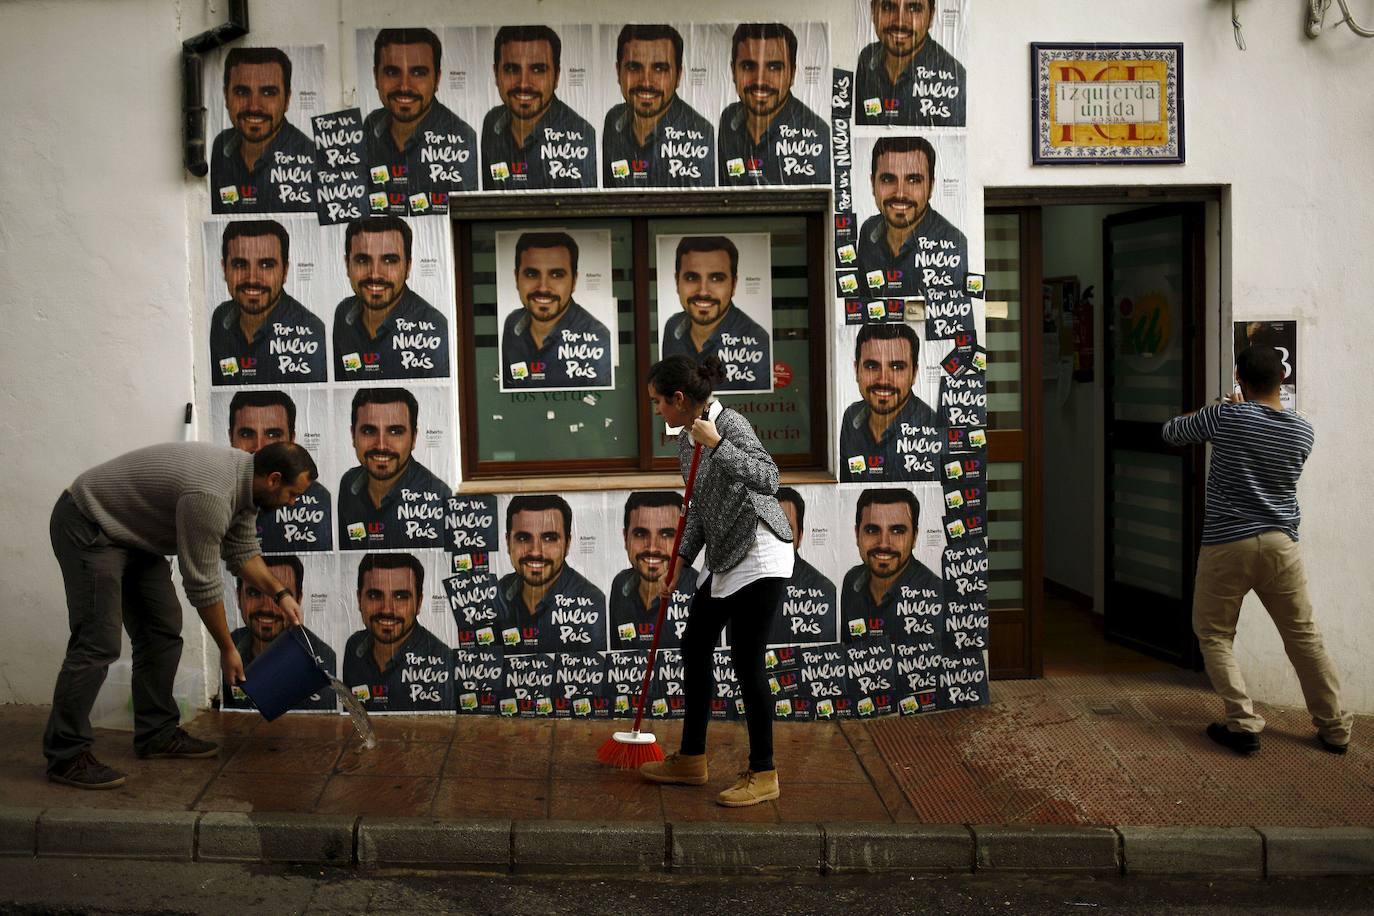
<point x="559" y="153"/>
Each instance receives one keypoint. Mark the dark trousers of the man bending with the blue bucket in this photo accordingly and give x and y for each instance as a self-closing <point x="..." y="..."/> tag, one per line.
<point x="109" y="586"/>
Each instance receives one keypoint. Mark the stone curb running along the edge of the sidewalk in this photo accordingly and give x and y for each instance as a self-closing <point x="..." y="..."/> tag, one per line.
<point x="552" y="847"/>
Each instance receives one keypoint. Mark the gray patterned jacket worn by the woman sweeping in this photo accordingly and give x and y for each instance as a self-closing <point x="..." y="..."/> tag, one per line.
<point x="734" y="491"/>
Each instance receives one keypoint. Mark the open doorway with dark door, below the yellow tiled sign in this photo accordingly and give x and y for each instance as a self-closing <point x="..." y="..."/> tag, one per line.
<point x="1111" y="315"/>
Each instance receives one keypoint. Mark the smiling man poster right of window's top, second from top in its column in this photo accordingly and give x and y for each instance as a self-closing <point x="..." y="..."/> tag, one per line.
<point x="910" y="200"/>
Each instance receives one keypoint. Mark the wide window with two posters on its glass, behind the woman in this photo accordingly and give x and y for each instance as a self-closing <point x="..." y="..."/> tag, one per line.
<point x="524" y="415"/>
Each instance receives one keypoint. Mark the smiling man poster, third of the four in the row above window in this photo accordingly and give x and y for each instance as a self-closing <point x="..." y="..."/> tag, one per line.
<point x="659" y="95"/>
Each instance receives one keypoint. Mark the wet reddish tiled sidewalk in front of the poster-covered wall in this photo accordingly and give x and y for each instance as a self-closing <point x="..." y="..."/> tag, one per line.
<point x="1120" y="751"/>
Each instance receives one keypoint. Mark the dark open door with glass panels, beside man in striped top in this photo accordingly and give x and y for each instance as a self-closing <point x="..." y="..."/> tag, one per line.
<point x="1153" y="359"/>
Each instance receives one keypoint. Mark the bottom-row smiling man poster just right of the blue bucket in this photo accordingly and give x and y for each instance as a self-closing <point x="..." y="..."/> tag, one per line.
<point x="398" y="652"/>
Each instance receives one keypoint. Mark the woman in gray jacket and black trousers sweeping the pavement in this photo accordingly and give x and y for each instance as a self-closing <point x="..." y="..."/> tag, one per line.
<point x="750" y="553"/>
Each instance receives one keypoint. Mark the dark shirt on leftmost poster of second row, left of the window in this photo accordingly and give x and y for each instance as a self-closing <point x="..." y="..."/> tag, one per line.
<point x="288" y="348"/>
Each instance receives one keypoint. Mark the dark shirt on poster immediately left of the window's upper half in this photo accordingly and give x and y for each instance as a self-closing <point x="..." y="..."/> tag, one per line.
<point x="412" y="344"/>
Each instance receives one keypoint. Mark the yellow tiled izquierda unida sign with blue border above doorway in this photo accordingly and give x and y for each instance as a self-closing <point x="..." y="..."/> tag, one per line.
<point x="1107" y="104"/>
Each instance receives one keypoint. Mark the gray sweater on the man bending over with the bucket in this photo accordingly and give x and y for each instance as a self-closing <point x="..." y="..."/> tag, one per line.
<point x="190" y="499"/>
